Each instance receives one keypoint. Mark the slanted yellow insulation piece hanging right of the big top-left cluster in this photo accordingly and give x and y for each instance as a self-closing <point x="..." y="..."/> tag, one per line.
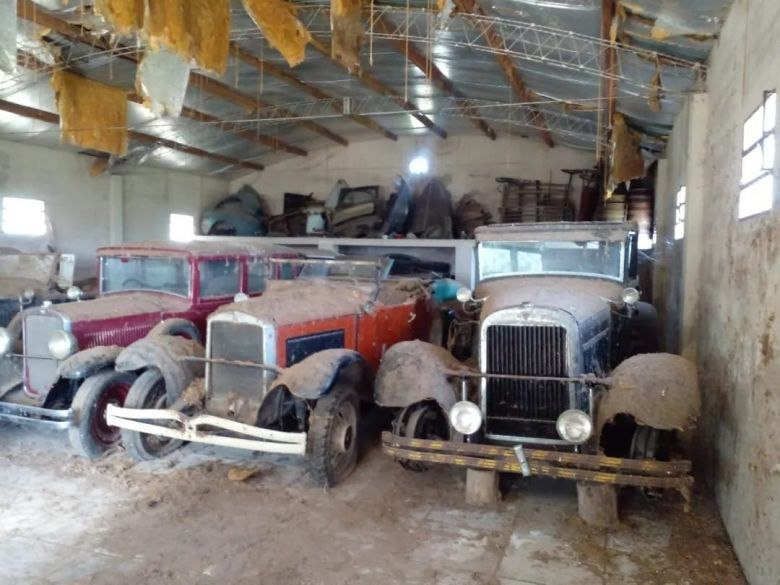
<point x="280" y="25"/>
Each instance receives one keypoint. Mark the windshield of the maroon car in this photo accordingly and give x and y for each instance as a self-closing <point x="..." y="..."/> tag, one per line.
<point x="147" y="273"/>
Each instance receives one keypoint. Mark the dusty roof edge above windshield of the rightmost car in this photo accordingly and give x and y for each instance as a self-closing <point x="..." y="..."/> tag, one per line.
<point x="568" y="230"/>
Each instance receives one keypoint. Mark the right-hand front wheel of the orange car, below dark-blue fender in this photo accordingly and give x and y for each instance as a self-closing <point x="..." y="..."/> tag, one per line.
<point x="332" y="440"/>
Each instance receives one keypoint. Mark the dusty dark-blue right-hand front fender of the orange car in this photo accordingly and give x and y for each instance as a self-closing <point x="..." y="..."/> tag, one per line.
<point x="314" y="376"/>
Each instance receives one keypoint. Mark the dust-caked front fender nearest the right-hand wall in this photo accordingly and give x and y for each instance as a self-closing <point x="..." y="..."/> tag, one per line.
<point x="660" y="390"/>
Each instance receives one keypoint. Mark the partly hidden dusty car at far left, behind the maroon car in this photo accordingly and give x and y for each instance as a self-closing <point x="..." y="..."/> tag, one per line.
<point x="28" y="280"/>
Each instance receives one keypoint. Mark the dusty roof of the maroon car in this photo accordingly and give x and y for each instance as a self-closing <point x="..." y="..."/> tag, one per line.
<point x="197" y="248"/>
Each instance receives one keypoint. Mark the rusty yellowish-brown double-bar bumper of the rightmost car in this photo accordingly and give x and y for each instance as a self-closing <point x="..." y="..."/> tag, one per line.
<point x="564" y="465"/>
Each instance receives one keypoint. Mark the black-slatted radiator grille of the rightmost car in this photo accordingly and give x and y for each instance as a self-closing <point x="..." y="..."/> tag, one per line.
<point x="525" y="407"/>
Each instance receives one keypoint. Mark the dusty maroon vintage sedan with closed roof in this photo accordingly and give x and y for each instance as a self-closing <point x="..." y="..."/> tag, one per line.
<point x="67" y="351"/>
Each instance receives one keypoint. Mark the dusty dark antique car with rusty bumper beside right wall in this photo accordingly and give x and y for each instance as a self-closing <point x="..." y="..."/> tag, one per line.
<point x="555" y="375"/>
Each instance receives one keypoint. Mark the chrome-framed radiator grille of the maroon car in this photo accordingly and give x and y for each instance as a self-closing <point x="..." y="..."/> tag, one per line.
<point x="40" y="368"/>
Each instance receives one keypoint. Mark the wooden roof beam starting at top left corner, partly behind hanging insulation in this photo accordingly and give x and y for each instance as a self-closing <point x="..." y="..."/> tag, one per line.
<point x="33" y="13"/>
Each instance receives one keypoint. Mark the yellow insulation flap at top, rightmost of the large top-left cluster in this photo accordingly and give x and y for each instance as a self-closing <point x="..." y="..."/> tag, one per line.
<point x="208" y="22"/>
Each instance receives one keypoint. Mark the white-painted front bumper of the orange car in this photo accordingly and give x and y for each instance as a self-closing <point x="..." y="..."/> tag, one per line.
<point x="205" y="428"/>
